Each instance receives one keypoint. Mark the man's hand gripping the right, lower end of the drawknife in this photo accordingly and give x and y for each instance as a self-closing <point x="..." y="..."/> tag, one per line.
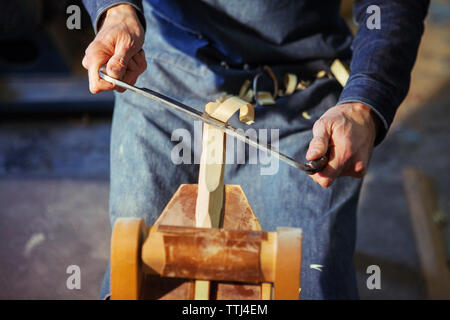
<point x="348" y="133"/>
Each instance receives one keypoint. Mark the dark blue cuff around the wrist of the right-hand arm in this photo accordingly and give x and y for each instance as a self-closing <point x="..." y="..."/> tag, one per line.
<point x="363" y="89"/>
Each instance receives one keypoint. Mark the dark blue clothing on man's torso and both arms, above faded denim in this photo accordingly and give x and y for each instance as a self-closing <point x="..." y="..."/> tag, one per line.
<point x="285" y="31"/>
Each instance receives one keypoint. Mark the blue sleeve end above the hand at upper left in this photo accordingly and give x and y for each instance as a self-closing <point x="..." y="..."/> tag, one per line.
<point x="96" y="8"/>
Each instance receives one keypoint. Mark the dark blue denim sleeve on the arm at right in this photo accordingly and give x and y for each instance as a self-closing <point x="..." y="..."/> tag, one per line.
<point x="383" y="58"/>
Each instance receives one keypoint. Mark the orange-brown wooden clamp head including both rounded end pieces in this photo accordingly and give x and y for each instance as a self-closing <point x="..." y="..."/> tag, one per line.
<point x="250" y="256"/>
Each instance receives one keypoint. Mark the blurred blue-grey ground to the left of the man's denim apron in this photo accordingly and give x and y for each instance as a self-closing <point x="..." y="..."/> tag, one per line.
<point x="54" y="206"/>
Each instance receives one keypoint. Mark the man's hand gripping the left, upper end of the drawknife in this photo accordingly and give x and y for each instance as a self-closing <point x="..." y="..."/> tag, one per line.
<point x="118" y="45"/>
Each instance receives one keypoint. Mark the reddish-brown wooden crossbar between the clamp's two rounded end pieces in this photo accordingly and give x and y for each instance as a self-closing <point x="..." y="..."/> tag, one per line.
<point x="208" y="254"/>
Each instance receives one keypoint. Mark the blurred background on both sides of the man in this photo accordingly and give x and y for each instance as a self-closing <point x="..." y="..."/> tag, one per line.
<point x="54" y="165"/>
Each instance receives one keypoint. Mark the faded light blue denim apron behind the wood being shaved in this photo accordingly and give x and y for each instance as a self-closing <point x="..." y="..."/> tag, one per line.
<point x="143" y="177"/>
